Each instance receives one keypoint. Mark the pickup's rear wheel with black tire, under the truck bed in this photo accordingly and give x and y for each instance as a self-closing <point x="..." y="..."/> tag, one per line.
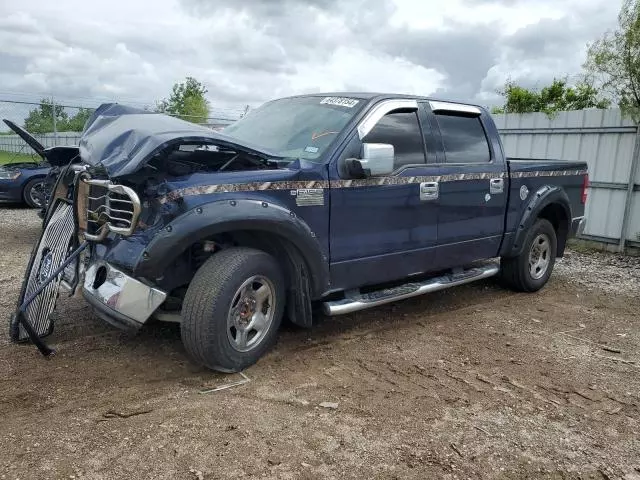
<point x="517" y="272"/>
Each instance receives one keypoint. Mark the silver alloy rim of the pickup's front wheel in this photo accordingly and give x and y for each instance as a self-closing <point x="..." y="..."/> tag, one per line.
<point x="251" y="313"/>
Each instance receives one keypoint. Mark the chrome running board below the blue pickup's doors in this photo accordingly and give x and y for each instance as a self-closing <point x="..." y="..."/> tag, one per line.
<point x="354" y="300"/>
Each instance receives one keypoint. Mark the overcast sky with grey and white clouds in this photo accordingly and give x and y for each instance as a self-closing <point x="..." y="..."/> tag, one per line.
<point x="248" y="51"/>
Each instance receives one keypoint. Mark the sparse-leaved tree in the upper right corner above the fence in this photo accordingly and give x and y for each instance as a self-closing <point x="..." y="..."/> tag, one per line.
<point x="615" y="60"/>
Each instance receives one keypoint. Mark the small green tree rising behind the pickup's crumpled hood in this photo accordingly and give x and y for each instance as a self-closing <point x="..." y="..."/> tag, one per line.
<point x="187" y="101"/>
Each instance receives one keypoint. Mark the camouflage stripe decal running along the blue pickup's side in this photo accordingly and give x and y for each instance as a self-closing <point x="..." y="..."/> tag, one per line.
<point x="366" y="182"/>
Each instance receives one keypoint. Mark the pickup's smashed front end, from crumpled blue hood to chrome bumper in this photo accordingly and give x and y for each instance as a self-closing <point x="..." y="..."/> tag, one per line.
<point x="105" y="209"/>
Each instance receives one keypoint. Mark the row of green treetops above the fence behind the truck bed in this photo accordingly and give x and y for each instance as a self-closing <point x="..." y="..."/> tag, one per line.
<point x="558" y="96"/>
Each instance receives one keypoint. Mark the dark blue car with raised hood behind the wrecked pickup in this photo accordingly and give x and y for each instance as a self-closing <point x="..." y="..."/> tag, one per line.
<point x="31" y="182"/>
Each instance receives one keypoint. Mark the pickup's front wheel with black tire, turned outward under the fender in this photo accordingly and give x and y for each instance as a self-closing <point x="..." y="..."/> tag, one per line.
<point x="205" y="330"/>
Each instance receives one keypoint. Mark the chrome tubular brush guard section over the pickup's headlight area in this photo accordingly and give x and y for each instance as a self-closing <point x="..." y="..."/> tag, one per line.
<point x="109" y="207"/>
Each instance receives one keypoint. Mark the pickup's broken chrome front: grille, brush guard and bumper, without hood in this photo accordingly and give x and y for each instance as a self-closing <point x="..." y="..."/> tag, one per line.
<point x="83" y="211"/>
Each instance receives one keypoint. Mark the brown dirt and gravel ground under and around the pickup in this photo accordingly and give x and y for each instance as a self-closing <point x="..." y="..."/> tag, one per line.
<point x="475" y="382"/>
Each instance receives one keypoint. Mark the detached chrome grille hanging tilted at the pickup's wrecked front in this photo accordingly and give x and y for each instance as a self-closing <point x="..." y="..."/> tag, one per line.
<point x="50" y="254"/>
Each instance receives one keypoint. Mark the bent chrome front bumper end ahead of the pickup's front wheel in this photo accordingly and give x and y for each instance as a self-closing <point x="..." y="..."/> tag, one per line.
<point x="119" y="299"/>
